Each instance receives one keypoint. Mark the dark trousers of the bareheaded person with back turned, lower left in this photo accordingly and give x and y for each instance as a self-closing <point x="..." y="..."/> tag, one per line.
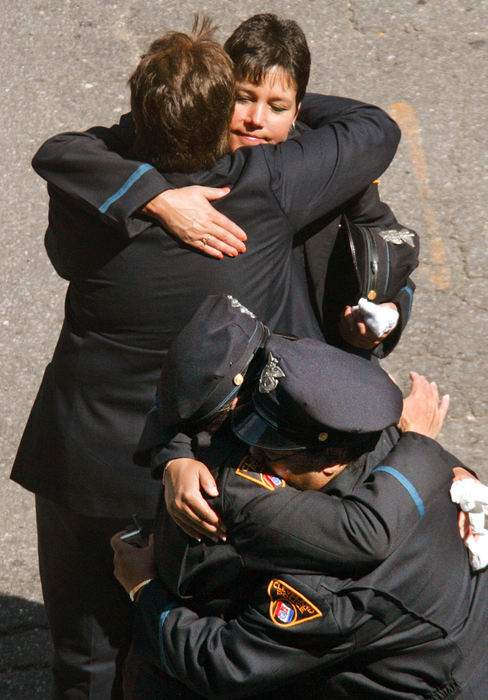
<point x="89" y="613"/>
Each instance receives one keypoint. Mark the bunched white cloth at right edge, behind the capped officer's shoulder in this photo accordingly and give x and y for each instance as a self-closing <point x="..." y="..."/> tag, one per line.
<point x="472" y="497"/>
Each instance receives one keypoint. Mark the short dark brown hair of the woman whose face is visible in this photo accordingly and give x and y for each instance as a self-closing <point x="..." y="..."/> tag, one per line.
<point x="265" y="41"/>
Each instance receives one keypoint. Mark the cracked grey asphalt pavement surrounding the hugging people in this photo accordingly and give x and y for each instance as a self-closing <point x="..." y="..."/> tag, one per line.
<point x="64" y="66"/>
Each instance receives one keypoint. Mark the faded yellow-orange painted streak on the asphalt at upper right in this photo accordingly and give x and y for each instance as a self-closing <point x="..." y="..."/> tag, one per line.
<point x="437" y="271"/>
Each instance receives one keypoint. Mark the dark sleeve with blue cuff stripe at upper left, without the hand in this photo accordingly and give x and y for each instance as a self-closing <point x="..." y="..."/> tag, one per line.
<point x="95" y="169"/>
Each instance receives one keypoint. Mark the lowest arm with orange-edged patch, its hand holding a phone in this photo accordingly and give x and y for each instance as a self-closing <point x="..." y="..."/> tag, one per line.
<point x="214" y="657"/>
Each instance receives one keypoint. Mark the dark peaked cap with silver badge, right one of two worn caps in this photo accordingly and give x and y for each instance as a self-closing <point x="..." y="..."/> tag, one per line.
<point x="311" y="394"/>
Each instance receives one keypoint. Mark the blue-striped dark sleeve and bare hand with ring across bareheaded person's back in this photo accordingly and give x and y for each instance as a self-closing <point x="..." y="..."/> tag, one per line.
<point x="97" y="168"/>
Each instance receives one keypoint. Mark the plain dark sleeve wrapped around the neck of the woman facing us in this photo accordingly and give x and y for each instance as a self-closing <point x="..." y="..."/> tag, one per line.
<point x="349" y="146"/>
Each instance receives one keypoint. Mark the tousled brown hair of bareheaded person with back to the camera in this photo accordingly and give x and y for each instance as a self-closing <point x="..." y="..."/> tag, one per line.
<point x="182" y="100"/>
